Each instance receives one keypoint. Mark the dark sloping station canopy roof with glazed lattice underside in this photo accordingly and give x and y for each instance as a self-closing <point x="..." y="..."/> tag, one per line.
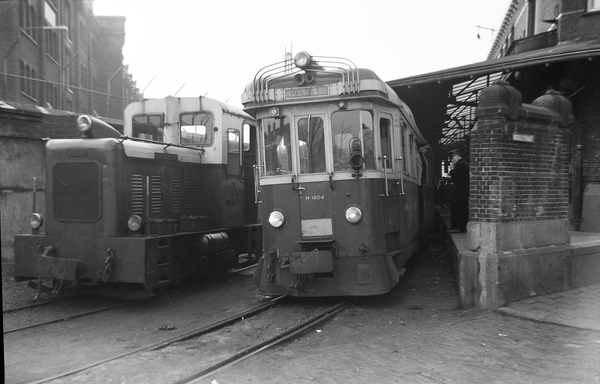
<point x="444" y="102"/>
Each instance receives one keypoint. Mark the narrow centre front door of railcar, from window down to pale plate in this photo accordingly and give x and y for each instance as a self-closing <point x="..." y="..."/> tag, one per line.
<point x="313" y="184"/>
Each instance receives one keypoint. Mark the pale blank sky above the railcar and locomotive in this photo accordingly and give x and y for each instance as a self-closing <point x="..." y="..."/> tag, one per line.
<point x="214" y="48"/>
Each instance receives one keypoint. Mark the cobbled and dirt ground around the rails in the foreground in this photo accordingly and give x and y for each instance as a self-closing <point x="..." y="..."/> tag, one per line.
<point x="417" y="333"/>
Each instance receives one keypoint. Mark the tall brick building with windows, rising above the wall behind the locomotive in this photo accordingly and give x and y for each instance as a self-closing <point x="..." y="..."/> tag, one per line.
<point x="57" y="54"/>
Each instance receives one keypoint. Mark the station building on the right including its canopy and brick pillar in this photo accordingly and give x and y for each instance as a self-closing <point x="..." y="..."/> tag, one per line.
<point x="528" y="119"/>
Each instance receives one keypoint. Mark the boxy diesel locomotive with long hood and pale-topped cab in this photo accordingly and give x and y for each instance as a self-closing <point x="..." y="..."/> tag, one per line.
<point x="127" y="215"/>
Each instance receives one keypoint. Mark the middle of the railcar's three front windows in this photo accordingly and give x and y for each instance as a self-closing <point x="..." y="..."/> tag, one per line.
<point x="311" y="145"/>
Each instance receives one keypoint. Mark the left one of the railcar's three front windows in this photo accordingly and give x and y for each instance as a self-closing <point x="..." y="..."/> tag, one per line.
<point x="278" y="146"/>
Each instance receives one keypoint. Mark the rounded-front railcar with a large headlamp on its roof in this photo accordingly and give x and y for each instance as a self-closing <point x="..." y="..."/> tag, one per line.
<point x="343" y="179"/>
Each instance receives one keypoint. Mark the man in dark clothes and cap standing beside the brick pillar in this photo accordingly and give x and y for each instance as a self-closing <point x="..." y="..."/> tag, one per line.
<point x="459" y="205"/>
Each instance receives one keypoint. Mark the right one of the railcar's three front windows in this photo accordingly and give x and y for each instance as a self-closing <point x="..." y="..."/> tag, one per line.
<point x="346" y="129"/>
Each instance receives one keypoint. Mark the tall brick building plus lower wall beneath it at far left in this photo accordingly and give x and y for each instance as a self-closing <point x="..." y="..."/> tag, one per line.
<point x="58" y="60"/>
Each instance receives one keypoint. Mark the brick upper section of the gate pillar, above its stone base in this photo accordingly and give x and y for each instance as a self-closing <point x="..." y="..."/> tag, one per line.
<point x="514" y="180"/>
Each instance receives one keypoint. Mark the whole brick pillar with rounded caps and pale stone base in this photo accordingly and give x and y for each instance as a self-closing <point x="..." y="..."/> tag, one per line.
<point x="519" y="195"/>
